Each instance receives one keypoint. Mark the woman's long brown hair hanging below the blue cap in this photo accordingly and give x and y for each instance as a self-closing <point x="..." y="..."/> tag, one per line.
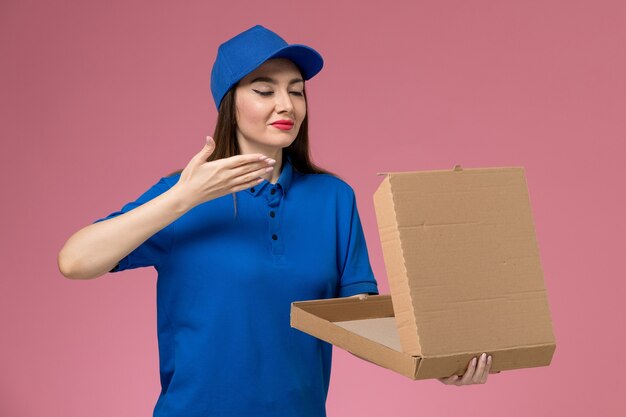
<point x="226" y="145"/>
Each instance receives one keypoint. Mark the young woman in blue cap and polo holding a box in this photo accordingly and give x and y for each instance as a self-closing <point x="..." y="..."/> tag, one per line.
<point x="247" y="227"/>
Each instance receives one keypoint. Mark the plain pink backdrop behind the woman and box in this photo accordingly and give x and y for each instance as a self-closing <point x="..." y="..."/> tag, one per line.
<point x="100" y="100"/>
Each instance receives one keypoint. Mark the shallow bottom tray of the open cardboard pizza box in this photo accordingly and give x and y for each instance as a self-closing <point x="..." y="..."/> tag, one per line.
<point x="367" y="329"/>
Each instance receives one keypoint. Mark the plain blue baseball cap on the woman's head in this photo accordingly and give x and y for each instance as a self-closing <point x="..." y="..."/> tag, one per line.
<point x="242" y="54"/>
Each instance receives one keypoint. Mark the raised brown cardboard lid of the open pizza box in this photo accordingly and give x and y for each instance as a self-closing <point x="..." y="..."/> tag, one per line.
<point x="462" y="260"/>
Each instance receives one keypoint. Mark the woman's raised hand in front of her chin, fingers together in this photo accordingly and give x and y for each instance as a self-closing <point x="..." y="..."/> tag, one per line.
<point x="202" y="181"/>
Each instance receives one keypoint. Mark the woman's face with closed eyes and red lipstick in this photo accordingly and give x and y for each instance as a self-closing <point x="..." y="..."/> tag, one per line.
<point x="272" y="92"/>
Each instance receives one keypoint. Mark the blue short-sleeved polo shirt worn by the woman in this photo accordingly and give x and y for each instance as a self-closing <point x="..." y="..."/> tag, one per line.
<point x="226" y="281"/>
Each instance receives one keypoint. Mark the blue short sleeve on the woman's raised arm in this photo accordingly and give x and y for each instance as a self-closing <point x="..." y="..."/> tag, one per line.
<point x="152" y="251"/>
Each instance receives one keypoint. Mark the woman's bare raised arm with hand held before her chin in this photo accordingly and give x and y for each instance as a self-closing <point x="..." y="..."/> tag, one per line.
<point x="97" y="248"/>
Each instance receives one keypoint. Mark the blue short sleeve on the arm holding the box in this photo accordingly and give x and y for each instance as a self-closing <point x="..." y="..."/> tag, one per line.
<point x="355" y="271"/>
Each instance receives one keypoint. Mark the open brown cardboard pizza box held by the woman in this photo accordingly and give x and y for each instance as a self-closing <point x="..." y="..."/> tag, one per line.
<point x="464" y="274"/>
